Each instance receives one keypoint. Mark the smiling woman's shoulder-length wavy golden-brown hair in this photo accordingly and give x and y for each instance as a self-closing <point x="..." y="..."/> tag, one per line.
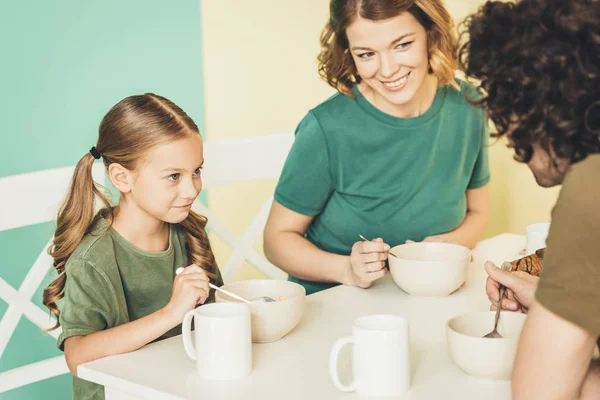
<point x="336" y="65"/>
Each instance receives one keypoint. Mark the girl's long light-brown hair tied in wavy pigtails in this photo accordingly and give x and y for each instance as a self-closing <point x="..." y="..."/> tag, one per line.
<point x="127" y="132"/>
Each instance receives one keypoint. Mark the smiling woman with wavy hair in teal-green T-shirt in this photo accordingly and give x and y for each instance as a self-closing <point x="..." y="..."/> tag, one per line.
<point x="397" y="154"/>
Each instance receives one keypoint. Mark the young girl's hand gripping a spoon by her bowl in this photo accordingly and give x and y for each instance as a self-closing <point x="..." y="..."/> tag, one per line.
<point x="190" y="288"/>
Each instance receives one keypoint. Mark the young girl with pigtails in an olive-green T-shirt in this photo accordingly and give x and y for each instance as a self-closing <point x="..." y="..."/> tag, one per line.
<point x="116" y="269"/>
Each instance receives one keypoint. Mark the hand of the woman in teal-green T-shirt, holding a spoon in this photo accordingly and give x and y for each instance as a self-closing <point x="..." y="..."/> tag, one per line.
<point x="367" y="262"/>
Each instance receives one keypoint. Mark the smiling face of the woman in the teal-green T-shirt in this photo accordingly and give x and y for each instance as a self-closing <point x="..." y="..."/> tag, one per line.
<point x="391" y="57"/>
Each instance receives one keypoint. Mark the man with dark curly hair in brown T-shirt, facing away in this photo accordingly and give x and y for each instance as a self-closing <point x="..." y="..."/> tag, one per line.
<point x="538" y="63"/>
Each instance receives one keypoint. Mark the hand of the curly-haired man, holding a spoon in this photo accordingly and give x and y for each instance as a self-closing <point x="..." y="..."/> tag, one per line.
<point x="520" y="288"/>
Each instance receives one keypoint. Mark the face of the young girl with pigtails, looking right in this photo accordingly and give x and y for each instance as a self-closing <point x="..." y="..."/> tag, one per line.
<point x="168" y="180"/>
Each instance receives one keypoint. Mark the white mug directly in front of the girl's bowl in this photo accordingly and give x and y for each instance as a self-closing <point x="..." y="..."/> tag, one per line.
<point x="223" y="336"/>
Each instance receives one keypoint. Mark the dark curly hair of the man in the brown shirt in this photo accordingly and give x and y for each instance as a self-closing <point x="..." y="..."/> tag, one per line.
<point x="539" y="66"/>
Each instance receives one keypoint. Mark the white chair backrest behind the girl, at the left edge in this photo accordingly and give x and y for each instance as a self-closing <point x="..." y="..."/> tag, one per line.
<point x="30" y="199"/>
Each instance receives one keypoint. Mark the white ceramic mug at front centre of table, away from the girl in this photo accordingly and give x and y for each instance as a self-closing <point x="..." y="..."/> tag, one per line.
<point x="380" y="356"/>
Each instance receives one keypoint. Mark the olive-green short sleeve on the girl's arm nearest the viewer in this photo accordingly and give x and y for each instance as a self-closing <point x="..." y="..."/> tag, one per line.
<point x="89" y="304"/>
